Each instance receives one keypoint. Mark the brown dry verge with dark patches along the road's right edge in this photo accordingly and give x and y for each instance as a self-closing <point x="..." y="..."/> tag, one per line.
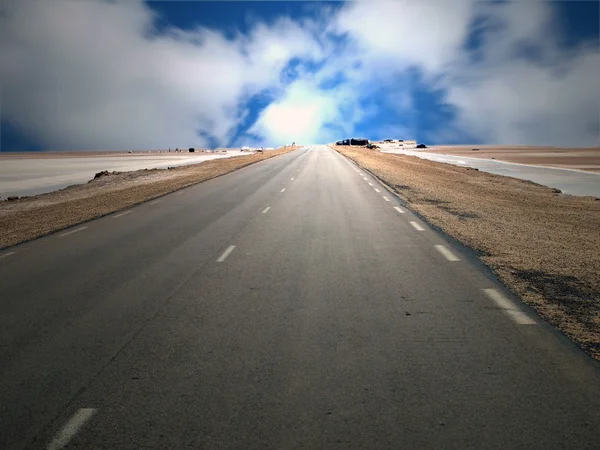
<point x="544" y="245"/>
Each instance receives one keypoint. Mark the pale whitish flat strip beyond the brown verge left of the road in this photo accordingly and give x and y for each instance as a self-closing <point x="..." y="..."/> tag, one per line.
<point x="29" y="176"/>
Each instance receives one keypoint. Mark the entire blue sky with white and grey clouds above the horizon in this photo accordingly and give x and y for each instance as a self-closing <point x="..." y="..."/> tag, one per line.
<point x="128" y="74"/>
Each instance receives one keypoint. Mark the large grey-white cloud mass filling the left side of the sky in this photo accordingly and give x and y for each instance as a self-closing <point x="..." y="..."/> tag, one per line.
<point x="92" y="74"/>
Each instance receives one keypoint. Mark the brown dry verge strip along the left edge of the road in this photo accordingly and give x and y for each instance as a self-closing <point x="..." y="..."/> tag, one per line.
<point x="32" y="217"/>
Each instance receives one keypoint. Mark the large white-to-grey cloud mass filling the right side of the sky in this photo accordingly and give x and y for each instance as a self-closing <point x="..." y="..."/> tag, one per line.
<point x="548" y="97"/>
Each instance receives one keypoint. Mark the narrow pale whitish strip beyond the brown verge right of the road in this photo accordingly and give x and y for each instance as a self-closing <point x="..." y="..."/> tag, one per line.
<point x="569" y="181"/>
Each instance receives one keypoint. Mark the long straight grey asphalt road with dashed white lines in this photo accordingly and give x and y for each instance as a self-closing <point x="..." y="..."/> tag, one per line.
<point x="291" y="304"/>
